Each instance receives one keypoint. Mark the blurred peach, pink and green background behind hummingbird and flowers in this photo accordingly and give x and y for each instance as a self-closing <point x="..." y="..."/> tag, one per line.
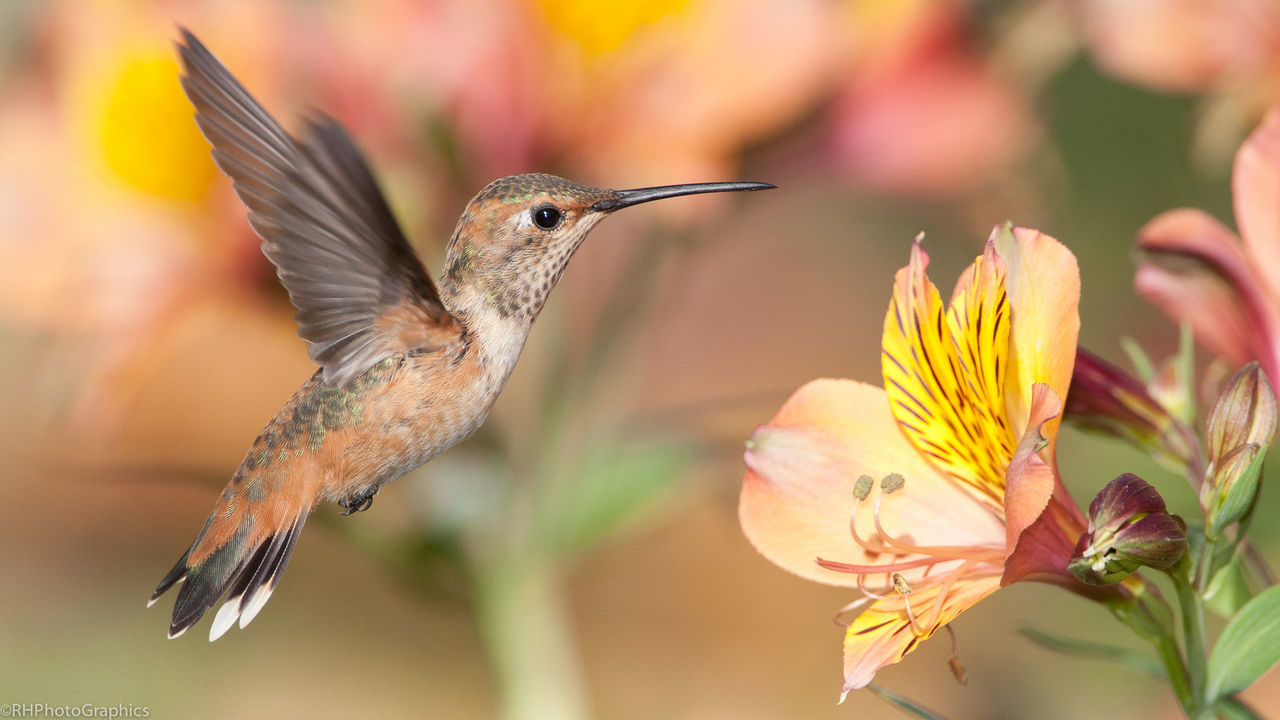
<point x="589" y="531"/>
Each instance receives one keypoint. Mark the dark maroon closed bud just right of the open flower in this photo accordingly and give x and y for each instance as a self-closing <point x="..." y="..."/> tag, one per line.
<point x="1128" y="530"/>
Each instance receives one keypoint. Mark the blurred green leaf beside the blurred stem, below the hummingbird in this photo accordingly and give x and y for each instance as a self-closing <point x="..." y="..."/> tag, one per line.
<point x="612" y="486"/>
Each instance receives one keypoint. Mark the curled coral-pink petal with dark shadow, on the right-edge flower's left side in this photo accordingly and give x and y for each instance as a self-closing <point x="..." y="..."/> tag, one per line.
<point x="1195" y="271"/>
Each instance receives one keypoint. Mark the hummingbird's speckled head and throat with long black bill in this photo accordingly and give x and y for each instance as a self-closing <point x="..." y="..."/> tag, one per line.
<point x="518" y="235"/>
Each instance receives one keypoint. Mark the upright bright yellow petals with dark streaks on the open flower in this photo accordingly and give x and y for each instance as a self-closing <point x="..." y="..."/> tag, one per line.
<point x="945" y="371"/>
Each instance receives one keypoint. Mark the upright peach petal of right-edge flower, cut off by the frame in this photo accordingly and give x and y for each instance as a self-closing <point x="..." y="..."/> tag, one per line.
<point x="1256" y="193"/>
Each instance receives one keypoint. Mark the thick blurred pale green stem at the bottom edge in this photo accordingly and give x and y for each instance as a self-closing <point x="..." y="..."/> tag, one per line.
<point x="528" y="632"/>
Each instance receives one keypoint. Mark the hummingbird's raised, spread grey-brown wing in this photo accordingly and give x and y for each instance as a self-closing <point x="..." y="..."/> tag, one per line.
<point x="360" y="290"/>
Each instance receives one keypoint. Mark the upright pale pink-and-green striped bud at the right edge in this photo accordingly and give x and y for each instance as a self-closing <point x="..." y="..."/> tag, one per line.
<point x="1241" y="427"/>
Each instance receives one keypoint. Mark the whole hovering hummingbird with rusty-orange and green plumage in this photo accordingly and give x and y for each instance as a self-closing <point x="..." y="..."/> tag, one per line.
<point x="408" y="368"/>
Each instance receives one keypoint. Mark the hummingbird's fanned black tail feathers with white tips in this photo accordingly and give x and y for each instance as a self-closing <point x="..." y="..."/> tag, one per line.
<point x="252" y="569"/>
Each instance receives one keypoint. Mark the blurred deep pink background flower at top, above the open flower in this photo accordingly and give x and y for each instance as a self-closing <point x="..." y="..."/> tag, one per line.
<point x="922" y="113"/>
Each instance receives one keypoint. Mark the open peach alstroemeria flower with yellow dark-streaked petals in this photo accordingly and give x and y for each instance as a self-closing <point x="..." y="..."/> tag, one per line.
<point x="967" y="425"/>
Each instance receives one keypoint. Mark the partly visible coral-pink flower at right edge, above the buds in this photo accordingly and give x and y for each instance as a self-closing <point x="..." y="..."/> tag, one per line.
<point x="1199" y="272"/>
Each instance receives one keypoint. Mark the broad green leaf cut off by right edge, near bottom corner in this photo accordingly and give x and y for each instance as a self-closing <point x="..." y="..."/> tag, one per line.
<point x="1249" y="648"/>
